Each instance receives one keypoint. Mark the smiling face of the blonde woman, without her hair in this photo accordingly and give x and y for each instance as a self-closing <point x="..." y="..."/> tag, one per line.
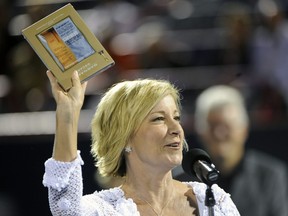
<point x="158" y="142"/>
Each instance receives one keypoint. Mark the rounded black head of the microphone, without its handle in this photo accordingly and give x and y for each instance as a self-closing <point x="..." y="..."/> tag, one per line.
<point x="190" y="157"/>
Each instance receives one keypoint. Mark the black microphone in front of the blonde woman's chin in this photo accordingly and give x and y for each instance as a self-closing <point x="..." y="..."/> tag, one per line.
<point x="197" y="162"/>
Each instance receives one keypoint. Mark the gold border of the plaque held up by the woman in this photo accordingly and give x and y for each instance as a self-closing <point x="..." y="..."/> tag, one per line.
<point x="95" y="63"/>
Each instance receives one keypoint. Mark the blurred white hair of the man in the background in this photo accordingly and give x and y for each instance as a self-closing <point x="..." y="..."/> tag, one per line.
<point x="215" y="97"/>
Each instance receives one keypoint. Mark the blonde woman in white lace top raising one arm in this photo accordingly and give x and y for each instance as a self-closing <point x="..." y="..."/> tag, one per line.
<point x="136" y="133"/>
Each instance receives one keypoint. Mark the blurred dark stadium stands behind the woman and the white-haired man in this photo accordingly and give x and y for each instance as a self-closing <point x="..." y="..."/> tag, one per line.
<point x="193" y="43"/>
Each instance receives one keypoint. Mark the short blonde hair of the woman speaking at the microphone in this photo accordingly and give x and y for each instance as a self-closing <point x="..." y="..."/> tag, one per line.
<point x="119" y="115"/>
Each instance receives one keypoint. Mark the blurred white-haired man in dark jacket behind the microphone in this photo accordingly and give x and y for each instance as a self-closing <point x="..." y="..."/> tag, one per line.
<point x="257" y="182"/>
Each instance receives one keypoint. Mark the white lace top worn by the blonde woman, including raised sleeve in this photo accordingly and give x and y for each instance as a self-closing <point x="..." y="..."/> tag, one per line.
<point x="64" y="182"/>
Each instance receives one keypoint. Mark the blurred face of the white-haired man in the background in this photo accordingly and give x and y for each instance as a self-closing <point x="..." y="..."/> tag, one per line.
<point x="225" y="136"/>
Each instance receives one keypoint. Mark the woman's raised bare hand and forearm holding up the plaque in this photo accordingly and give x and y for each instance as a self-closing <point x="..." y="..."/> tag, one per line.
<point x="67" y="115"/>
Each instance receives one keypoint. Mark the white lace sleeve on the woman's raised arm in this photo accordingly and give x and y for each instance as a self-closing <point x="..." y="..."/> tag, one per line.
<point x="64" y="182"/>
